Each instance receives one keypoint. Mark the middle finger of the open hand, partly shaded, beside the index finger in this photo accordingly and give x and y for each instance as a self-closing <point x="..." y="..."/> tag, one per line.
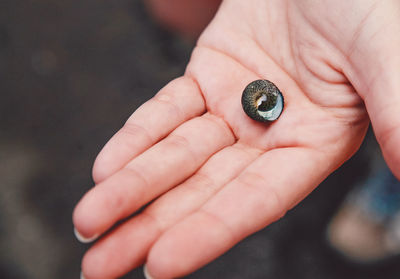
<point x="133" y="239"/>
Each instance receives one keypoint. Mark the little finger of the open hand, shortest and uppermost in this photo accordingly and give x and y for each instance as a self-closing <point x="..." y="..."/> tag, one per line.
<point x="177" y="102"/>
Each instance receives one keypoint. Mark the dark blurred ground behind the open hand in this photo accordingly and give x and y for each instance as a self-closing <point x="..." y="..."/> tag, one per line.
<point x="71" y="73"/>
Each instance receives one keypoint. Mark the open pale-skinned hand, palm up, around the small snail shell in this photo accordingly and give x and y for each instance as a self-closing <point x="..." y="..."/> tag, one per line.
<point x="213" y="175"/>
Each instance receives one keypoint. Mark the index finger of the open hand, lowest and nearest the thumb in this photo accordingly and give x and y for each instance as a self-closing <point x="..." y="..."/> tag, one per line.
<point x="260" y="195"/>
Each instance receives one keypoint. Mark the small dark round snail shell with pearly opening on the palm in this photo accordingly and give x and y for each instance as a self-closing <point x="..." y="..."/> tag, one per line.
<point x="262" y="101"/>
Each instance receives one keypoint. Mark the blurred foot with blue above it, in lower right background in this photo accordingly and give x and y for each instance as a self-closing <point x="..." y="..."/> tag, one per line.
<point x="367" y="227"/>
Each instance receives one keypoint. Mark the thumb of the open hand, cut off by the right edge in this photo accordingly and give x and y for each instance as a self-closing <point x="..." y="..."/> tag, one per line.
<point x="375" y="61"/>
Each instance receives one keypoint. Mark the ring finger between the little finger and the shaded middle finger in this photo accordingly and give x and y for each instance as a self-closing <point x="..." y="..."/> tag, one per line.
<point x="155" y="171"/>
